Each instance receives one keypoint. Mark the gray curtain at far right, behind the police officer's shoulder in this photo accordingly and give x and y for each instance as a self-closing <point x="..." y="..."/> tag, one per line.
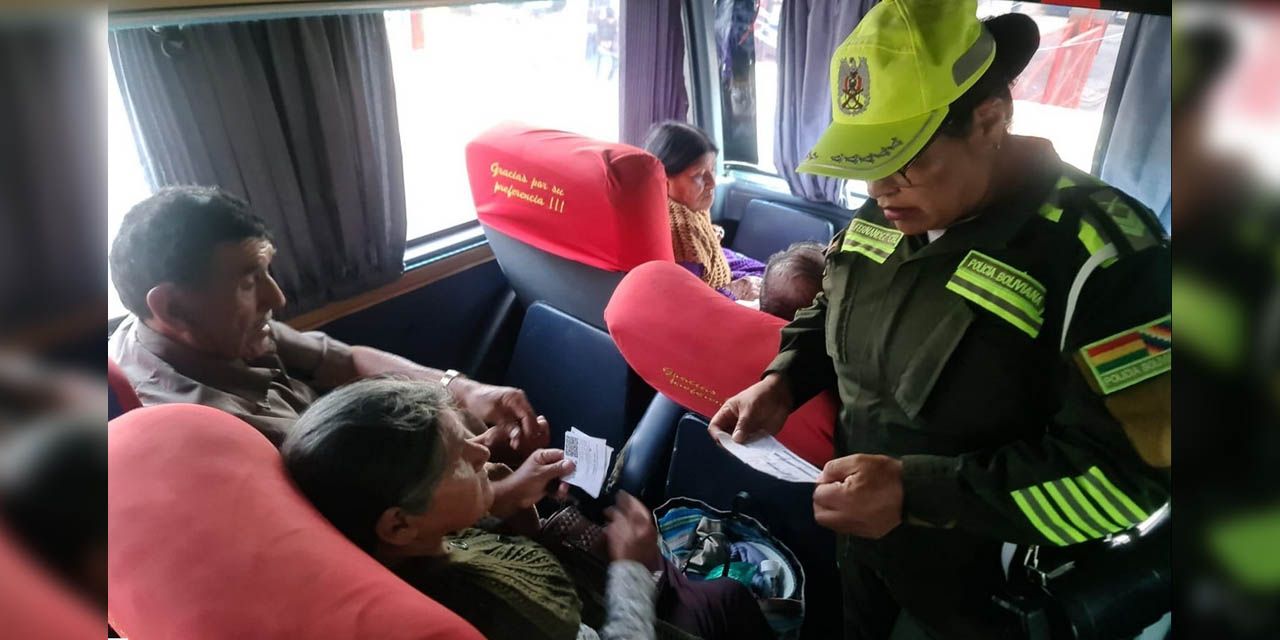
<point x="1135" y="143"/>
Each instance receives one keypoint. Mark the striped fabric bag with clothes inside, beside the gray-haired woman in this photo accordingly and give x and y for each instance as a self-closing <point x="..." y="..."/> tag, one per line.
<point x="679" y="538"/>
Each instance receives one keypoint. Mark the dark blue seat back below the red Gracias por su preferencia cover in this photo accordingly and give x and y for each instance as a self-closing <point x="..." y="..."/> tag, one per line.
<point x="574" y="374"/>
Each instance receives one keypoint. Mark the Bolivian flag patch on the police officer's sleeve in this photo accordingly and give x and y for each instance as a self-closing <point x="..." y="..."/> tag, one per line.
<point x="1131" y="356"/>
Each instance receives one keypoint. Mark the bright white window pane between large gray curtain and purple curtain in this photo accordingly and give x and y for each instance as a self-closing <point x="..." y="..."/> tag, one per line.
<point x="463" y="70"/>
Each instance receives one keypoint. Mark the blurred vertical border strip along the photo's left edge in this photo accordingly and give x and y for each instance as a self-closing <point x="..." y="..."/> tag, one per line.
<point x="53" y="395"/>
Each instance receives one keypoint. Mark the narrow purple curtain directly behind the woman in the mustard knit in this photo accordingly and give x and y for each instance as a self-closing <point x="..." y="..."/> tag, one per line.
<point x="652" y="86"/>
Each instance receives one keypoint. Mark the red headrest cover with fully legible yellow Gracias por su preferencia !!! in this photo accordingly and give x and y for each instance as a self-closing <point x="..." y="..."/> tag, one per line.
<point x="595" y="203"/>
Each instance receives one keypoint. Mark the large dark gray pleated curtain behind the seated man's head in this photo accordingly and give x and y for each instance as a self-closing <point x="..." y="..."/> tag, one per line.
<point x="298" y="117"/>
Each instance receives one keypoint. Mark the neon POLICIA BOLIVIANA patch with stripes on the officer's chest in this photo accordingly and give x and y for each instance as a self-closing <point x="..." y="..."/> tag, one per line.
<point x="1012" y="295"/>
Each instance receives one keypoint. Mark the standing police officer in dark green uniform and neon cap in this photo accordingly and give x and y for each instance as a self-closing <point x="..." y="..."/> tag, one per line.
<point x="996" y="324"/>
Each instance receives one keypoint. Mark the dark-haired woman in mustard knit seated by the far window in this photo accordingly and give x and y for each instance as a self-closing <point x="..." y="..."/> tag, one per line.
<point x="689" y="158"/>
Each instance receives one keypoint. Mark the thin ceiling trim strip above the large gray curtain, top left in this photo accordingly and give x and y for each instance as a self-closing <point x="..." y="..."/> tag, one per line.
<point x="126" y="15"/>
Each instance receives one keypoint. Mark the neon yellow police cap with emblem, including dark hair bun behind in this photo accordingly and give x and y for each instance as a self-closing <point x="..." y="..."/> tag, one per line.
<point x="894" y="77"/>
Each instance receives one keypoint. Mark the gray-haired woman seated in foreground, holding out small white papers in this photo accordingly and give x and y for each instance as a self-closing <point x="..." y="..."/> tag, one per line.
<point x="390" y="465"/>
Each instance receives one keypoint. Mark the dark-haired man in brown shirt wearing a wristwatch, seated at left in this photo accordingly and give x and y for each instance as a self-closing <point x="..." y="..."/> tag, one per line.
<point x="191" y="264"/>
